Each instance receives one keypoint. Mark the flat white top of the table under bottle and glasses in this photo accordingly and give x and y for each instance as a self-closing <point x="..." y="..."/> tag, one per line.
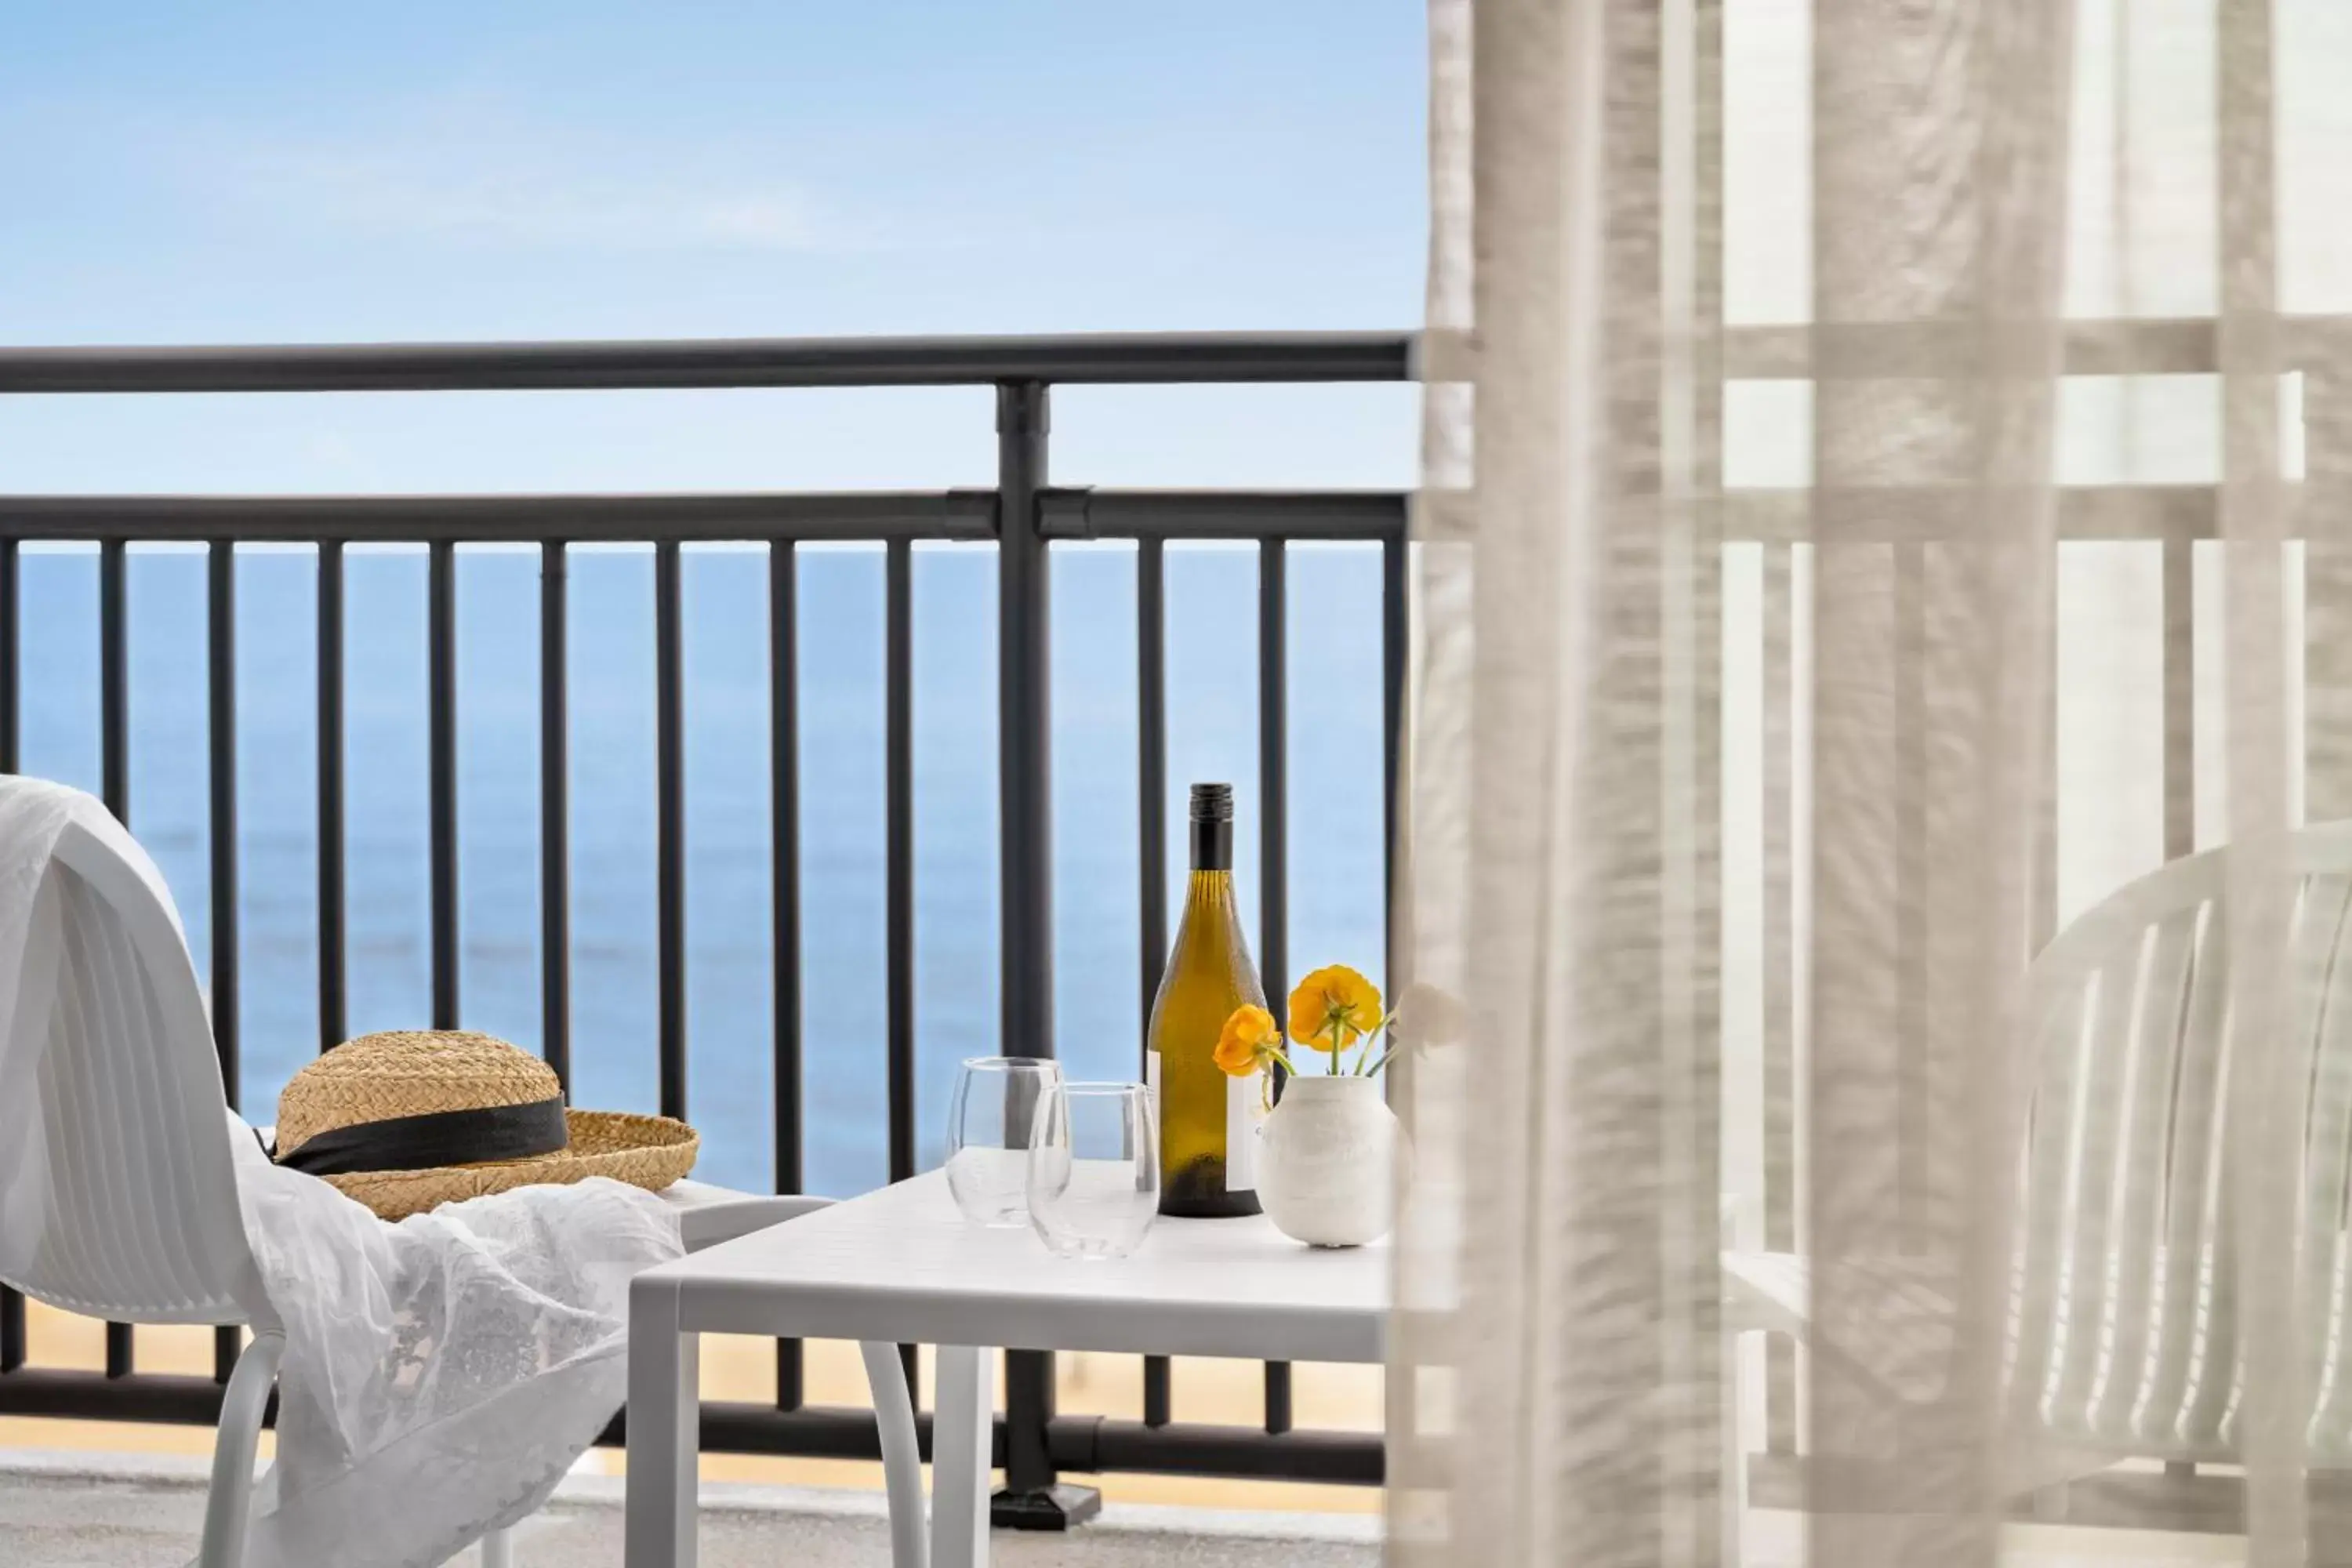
<point x="904" y="1264"/>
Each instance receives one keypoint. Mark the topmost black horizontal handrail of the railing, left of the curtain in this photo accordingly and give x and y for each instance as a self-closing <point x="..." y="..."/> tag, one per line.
<point x="716" y="363"/>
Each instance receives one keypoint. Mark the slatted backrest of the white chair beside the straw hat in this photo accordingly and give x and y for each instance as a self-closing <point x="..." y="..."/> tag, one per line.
<point x="121" y="1193"/>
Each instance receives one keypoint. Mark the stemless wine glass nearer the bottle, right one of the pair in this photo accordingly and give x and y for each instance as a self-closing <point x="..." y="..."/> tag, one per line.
<point x="1095" y="1170"/>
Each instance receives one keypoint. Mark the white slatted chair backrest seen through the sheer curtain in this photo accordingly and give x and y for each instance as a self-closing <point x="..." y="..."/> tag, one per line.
<point x="2127" y="1296"/>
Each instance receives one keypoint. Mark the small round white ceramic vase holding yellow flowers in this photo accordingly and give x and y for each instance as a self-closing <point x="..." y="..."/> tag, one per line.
<point x="1328" y="1160"/>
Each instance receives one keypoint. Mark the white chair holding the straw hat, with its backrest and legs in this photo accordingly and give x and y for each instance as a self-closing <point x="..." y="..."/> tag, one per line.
<point x="121" y="1200"/>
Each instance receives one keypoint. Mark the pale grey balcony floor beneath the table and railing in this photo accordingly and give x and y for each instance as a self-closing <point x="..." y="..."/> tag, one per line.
<point x="145" y="1513"/>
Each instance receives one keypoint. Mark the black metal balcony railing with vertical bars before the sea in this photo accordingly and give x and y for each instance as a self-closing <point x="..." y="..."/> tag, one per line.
<point x="1022" y="516"/>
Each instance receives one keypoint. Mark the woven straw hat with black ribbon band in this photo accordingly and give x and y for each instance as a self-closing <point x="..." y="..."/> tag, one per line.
<point x="417" y="1118"/>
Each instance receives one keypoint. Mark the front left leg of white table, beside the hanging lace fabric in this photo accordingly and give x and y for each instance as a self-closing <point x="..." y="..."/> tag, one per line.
<point x="664" y="1430"/>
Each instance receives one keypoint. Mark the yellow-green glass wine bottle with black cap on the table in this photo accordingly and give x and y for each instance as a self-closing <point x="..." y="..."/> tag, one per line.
<point x="1208" y="1120"/>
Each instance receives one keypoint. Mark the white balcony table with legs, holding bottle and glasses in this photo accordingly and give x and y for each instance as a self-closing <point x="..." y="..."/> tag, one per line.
<point x="904" y="1266"/>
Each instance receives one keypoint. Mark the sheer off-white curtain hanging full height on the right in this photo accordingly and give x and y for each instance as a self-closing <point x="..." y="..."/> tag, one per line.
<point x="1880" y="500"/>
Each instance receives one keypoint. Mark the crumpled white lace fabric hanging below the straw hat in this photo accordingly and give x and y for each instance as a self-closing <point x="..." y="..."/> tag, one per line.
<point x="446" y="1372"/>
